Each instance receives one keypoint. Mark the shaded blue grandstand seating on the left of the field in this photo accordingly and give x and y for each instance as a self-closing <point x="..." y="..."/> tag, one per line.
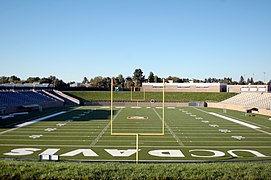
<point x="27" y="98"/>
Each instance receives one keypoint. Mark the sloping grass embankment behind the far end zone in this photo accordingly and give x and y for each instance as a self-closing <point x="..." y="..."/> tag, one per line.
<point x="169" y="96"/>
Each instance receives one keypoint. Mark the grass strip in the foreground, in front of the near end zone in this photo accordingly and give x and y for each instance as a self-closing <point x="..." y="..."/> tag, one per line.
<point x="62" y="170"/>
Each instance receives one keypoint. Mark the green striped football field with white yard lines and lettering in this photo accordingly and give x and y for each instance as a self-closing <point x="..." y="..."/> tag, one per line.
<point x="191" y="134"/>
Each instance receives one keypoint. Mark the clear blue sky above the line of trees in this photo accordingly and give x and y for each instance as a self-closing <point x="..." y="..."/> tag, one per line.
<point x="86" y="38"/>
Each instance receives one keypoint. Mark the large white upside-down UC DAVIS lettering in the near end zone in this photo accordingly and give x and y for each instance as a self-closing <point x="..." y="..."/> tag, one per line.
<point x="164" y="153"/>
